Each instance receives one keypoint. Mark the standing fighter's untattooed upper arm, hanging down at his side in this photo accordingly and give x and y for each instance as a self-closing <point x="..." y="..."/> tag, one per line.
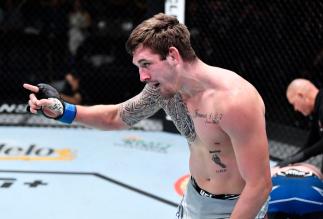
<point x="244" y="122"/>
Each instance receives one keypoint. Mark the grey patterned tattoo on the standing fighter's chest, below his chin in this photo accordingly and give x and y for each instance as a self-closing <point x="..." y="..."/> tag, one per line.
<point x="177" y="110"/>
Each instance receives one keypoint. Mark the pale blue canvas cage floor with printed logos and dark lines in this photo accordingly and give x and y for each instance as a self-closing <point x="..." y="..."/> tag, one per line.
<point x="83" y="173"/>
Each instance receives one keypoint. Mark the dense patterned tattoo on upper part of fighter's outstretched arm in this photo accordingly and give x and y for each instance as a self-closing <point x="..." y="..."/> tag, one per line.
<point x="140" y="107"/>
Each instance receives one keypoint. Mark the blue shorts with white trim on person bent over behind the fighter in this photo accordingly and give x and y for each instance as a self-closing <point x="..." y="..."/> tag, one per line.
<point x="296" y="192"/>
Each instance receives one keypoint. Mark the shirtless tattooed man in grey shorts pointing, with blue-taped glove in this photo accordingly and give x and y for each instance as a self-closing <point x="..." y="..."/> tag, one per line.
<point x="221" y="115"/>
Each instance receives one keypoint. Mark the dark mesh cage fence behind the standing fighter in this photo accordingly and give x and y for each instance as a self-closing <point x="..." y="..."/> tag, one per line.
<point x="268" y="42"/>
